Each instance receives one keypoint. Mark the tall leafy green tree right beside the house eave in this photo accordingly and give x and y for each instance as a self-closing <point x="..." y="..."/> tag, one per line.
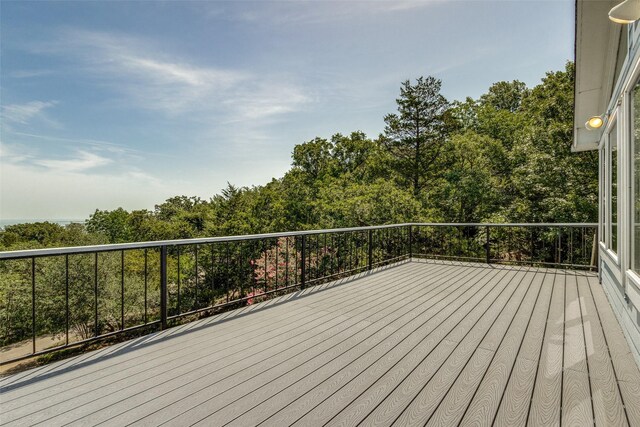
<point x="551" y="183"/>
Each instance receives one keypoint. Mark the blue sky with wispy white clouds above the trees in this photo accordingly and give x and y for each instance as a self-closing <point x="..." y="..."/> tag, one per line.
<point x="124" y="104"/>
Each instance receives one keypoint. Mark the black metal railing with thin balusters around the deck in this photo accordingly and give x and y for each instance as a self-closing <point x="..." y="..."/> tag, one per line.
<point x="52" y="299"/>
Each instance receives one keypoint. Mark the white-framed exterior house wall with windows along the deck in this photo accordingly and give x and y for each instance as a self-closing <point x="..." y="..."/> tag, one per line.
<point x="620" y="282"/>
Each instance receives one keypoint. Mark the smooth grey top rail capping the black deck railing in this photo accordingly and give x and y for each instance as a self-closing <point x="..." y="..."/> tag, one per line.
<point x="34" y="253"/>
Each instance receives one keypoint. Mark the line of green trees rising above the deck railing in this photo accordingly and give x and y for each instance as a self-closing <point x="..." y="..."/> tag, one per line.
<point x="504" y="157"/>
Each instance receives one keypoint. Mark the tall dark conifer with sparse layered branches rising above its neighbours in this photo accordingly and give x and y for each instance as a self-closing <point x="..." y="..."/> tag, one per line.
<point x="415" y="136"/>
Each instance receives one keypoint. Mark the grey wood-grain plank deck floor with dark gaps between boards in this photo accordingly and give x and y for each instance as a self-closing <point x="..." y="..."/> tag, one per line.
<point x="416" y="344"/>
